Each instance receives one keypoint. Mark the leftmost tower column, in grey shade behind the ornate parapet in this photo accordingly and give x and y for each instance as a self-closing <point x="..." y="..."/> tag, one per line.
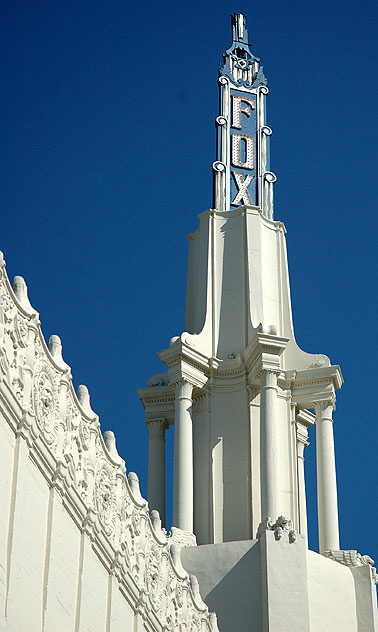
<point x="156" y="465"/>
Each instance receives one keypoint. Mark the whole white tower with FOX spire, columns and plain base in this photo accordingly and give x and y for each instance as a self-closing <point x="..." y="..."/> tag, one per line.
<point x="241" y="395"/>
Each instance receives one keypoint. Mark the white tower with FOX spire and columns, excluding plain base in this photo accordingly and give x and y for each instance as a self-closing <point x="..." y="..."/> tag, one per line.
<point x="238" y="389"/>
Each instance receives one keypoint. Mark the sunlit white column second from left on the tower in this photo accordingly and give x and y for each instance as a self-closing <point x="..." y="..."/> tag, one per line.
<point x="183" y="458"/>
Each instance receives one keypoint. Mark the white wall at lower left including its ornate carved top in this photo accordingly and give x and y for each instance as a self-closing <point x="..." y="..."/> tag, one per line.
<point x="79" y="550"/>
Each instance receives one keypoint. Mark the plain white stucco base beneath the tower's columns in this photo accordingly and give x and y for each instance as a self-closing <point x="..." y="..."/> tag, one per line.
<point x="277" y="585"/>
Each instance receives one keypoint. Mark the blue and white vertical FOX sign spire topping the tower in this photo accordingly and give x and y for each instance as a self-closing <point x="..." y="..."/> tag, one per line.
<point x="242" y="176"/>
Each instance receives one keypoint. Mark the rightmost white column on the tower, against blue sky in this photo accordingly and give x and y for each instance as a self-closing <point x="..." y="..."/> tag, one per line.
<point x="328" y="520"/>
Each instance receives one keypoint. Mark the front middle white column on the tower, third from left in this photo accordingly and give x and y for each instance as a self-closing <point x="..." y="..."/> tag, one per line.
<point x="269" y="444"/>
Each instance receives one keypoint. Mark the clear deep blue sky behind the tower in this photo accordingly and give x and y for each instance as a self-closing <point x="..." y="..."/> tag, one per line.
<point x="107" y="128"/>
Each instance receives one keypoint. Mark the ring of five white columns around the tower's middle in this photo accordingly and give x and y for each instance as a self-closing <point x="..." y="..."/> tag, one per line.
<point x="270" y="465"/>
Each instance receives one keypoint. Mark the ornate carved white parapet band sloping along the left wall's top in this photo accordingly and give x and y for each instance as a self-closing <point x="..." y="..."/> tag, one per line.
<point x="64" y="439"/>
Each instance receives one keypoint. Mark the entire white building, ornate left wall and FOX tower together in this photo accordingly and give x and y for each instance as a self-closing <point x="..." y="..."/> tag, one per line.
<point x="80" y="549"/>
